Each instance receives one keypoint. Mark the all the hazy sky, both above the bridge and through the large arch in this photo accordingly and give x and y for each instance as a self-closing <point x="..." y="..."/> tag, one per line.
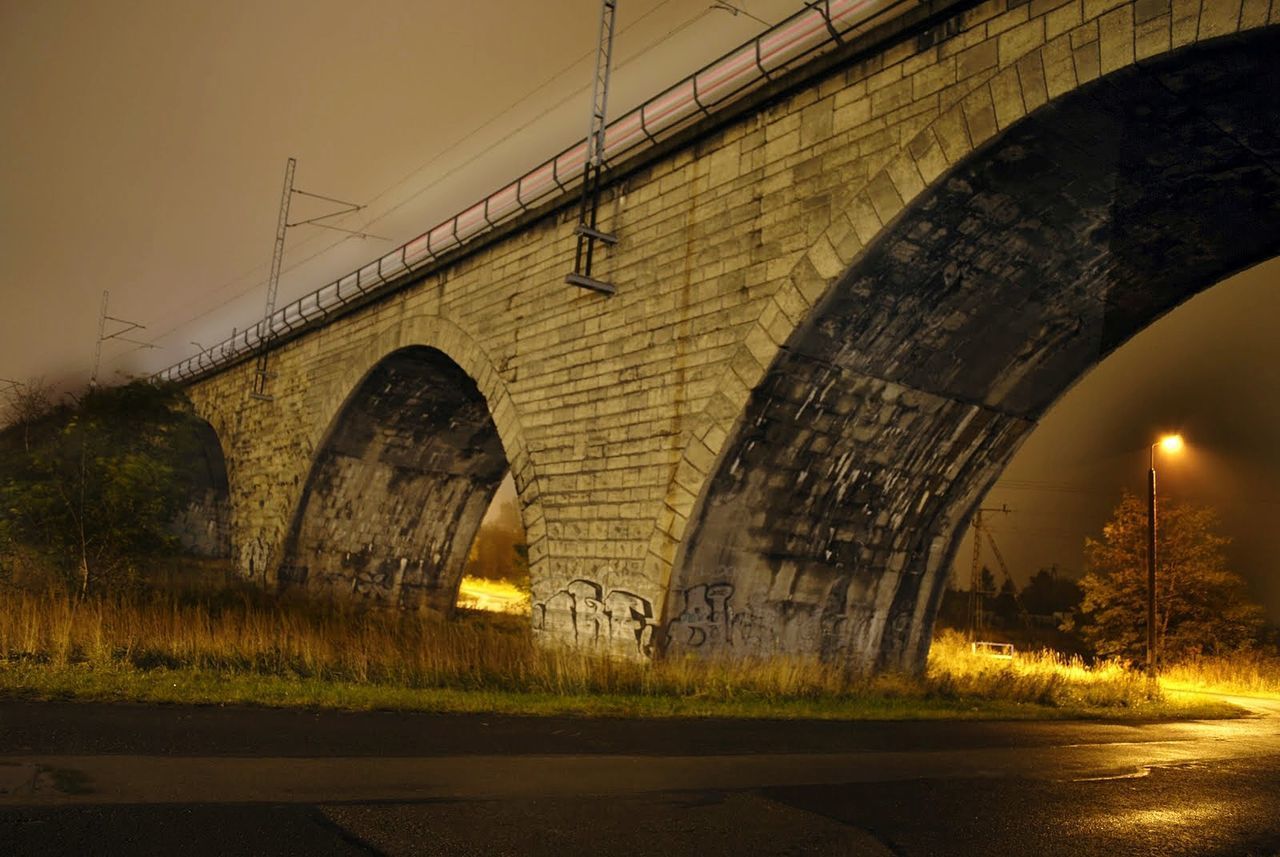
<point x="143" y="149"/>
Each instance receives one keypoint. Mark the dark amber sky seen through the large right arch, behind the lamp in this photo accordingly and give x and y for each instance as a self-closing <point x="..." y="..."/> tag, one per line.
<point x="1210" y="370"/>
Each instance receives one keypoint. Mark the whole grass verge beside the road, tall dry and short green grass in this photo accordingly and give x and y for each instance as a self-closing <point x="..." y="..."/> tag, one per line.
<point x="241" y="649"/>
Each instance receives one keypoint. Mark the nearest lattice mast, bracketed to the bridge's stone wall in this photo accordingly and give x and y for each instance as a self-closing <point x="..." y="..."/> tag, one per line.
<point x="593" y="163"/>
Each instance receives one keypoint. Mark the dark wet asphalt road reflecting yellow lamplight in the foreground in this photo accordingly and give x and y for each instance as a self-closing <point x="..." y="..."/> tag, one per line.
<point x="120" y="780"/>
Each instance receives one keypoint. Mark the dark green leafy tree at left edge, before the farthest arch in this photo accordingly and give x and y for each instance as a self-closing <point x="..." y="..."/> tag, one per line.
<point x="93" y="485"/>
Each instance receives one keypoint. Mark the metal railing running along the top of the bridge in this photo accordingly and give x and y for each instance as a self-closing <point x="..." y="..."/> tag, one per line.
<point x="821" y="28"/>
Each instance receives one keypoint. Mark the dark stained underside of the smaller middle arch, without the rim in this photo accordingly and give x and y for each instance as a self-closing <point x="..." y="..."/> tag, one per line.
<point x="399" y="488"/>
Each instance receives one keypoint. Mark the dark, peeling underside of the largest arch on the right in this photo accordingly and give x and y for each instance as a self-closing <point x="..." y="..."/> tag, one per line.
<point x="838" y="503"/>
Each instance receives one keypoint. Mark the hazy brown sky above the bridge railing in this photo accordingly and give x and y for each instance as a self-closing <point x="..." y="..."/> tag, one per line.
<point x="144" y="144"/>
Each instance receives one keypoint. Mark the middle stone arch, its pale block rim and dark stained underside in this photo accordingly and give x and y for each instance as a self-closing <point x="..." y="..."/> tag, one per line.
<point x="418" y="433"/>
